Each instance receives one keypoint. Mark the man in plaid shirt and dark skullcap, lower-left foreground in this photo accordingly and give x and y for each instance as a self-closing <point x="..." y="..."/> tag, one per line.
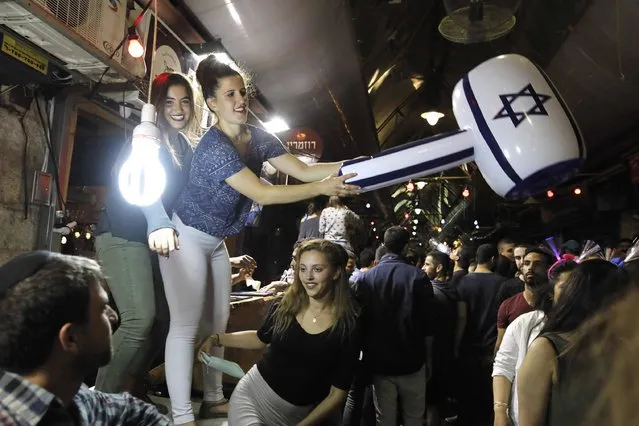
<point x="55" y="328"/>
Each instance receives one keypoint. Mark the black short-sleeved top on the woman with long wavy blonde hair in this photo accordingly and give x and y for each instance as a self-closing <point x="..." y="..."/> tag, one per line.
<point x="302" y="367"/>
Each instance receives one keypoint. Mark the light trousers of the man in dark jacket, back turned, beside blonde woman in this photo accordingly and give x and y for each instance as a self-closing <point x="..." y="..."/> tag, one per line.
<point x="411" y="389"/>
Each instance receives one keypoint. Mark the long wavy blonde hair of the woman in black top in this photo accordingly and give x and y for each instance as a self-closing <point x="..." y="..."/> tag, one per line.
<point x="341" y="298"/>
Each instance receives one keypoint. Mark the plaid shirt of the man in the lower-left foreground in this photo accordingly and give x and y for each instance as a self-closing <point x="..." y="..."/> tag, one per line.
<point x="26" y="404"/>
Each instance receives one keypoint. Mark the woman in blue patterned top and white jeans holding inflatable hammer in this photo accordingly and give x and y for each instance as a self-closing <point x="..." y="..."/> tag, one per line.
<point x="214" y="205"/>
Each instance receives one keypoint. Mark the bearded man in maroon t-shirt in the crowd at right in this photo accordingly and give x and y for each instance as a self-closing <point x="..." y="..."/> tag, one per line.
<point x="535" y="264"/>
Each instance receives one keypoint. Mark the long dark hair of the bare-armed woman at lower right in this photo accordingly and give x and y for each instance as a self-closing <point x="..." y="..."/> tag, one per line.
<point x="591" y="286"/>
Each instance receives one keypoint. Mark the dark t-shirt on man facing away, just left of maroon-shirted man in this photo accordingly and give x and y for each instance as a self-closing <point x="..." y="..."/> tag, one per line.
<point x="479" y="292"/>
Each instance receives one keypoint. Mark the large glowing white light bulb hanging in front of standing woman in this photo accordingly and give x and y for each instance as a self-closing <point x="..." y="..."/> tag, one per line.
<point x="142" y="178"/>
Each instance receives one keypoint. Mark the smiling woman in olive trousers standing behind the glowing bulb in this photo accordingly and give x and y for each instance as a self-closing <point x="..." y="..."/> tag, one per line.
<point x="122" y="247"/>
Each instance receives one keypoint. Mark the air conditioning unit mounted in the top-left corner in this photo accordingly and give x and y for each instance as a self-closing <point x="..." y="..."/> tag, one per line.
<point x="81" y="33"/>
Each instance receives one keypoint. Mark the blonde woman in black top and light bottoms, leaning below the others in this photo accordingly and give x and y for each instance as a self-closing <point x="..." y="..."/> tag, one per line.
<point x="307" y="369"/>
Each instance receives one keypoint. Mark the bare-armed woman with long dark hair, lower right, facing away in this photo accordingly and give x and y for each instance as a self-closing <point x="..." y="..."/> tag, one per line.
<point x="543" y="400"/>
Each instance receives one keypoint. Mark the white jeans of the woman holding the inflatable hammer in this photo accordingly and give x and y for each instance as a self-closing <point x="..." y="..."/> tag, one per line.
<point x="197" y="283"/>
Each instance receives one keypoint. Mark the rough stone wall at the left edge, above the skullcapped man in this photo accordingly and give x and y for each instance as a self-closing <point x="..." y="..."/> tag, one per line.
<point x="17" y="233"/>
